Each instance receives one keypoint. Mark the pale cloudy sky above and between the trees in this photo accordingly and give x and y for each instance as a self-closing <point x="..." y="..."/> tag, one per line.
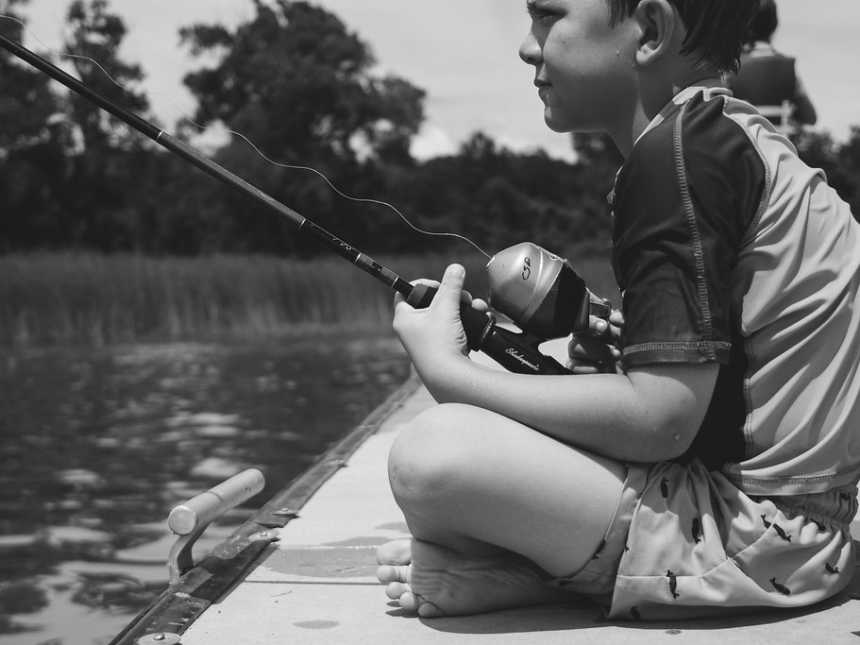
<point x="464" y="54"/>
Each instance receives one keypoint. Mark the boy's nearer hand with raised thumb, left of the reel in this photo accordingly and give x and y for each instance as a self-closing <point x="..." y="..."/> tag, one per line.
<point x="435" y="333"/>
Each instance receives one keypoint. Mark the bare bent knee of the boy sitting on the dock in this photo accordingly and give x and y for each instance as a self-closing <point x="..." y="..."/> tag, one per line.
<point x="427" y="459"/>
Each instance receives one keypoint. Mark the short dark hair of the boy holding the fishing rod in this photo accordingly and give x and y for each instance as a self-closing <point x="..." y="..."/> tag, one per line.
<point x="716" y="29"/>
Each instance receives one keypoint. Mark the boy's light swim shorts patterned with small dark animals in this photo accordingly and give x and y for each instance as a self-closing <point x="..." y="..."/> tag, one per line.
<point x="688" y="543"/>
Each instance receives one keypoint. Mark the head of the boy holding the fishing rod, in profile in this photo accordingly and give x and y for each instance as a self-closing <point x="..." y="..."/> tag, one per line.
<point x="611" y="65"/>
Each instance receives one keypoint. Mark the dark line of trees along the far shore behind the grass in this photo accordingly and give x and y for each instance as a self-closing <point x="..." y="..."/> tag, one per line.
<point x="295" y="80"/>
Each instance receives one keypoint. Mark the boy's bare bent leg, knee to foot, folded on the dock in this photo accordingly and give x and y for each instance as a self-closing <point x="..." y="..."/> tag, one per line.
<point x="476" y="488"/>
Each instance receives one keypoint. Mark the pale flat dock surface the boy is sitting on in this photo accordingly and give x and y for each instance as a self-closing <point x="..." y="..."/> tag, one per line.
<point x="317" y="584"/>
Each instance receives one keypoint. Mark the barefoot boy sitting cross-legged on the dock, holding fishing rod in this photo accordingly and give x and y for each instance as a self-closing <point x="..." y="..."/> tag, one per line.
<point x="718" y="470"/>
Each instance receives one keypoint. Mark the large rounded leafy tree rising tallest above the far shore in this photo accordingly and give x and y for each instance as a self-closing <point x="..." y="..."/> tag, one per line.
<point x="295" y="77"/>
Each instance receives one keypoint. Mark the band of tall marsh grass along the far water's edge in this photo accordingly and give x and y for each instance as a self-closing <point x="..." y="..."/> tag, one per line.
<point x="69" y="299"/>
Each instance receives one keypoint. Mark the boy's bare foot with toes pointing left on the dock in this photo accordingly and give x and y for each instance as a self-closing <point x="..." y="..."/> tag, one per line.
<point x="432" y="580"/>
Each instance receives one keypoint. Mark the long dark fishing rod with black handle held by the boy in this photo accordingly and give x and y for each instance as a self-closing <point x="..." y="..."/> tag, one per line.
<point x="517" y="352"/>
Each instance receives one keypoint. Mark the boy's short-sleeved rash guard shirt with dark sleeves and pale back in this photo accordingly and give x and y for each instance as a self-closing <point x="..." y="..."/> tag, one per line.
<point x="728" y="249"/>
